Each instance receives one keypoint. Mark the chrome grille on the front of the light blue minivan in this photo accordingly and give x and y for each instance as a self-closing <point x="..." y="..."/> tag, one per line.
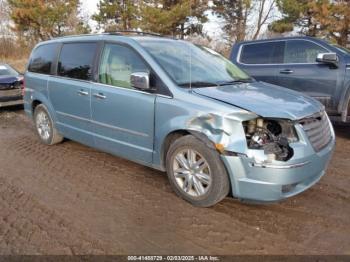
<point x="318" y="130"/>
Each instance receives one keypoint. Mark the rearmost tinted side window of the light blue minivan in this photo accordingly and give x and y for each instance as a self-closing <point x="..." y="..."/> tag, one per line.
<point x="42" y="59"/>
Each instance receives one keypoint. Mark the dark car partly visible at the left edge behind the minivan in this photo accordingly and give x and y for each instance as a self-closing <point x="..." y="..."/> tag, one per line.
<point x="11" y="83"/>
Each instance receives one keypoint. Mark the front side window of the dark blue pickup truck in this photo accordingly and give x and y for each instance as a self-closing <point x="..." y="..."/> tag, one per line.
<point x="300" y="51"/>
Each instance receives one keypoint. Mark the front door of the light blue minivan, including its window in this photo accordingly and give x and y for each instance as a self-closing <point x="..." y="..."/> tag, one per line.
<point x="122" y="117"/>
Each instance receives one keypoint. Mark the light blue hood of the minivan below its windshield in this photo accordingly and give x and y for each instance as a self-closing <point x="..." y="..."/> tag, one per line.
<point x="264" y="99"/>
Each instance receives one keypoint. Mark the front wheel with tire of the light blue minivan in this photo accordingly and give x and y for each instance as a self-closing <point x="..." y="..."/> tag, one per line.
<point x="185" y="183"/>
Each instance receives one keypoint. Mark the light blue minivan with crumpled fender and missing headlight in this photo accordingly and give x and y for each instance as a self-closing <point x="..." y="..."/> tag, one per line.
<point x="179" y="108"/>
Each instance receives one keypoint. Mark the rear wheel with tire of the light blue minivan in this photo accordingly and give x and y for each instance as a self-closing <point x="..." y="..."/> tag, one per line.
<point x="44" y="126"/>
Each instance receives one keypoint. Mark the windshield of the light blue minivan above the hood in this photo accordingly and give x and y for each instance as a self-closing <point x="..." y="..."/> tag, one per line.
<point x="191" y="65"/>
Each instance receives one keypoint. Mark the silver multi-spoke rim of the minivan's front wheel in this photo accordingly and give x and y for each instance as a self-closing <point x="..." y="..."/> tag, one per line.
<point x="192" y="172"/>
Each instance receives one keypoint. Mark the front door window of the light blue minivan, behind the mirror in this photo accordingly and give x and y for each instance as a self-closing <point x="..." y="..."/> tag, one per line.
<point x="118" y="62"/>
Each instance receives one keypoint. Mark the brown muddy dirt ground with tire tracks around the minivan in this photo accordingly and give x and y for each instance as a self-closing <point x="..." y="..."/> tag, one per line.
<point x="71" y="199"/>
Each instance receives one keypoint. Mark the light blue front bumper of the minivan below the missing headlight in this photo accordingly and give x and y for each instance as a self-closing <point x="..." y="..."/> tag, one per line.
<point x="277" y="180"/>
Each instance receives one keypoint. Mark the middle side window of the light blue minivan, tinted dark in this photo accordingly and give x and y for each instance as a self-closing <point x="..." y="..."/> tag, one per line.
<point x="76" y="60"/>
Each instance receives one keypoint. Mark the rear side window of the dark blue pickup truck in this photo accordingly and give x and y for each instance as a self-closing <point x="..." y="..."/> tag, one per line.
<point x="262" y="53"/>
